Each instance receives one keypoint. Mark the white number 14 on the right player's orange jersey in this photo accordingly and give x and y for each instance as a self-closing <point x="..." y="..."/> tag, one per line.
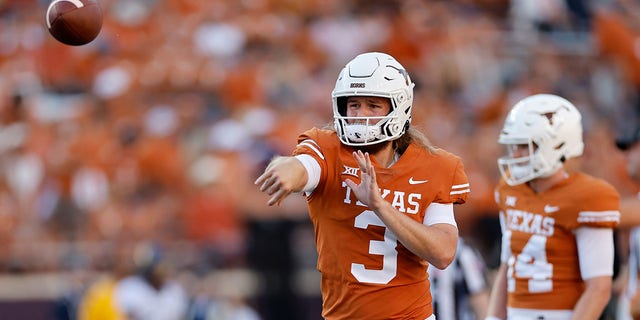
<point x="531" y="264"/>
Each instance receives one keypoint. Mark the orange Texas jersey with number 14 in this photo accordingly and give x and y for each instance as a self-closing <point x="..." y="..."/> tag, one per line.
<point x="538" y="234"/>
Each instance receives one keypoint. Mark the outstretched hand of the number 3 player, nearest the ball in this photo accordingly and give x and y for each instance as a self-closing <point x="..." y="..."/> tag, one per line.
<point x="275" y="181"/>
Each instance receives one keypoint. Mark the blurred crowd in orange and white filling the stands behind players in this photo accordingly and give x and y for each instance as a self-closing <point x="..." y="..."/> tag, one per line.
<point x="155" y="131"/>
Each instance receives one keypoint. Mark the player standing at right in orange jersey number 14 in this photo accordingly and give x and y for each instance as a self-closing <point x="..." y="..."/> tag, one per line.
<point x="557" y="226"/>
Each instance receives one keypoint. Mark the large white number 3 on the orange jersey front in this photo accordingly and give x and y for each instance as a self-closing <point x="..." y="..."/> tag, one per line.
<point x="386" y="248"/>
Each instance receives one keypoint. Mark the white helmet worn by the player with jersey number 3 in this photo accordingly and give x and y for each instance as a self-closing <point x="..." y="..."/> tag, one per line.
<point x="373" y="74"/>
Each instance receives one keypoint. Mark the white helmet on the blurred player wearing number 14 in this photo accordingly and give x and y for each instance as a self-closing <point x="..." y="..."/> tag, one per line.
<point x="550" y="126"/>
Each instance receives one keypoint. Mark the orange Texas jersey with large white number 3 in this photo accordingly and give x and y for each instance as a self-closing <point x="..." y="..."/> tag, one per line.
<point x="366" y="272"/>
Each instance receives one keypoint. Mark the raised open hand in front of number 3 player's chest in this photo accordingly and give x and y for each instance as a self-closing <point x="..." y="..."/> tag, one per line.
<point x="367" y="191"/>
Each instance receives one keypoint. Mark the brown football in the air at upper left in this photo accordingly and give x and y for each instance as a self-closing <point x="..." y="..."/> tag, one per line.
<point x="74" y="22"/>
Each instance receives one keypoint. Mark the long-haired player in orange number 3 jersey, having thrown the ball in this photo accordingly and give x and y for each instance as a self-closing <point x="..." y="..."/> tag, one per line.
<point x="379" y="195"/>
